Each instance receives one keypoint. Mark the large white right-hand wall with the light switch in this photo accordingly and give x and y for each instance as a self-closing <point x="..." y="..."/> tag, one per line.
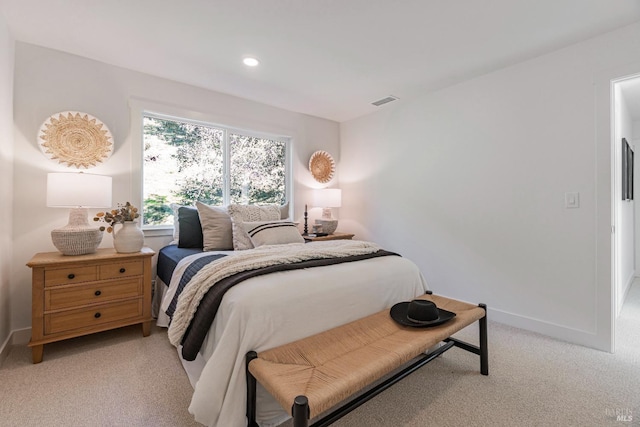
<point x="470" y="183"/>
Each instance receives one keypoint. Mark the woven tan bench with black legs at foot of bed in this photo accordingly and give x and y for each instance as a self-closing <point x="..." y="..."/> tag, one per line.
<point x="311" y="376"/>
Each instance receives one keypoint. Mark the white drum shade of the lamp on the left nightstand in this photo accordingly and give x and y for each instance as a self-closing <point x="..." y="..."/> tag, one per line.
<point x="73" y="190"/>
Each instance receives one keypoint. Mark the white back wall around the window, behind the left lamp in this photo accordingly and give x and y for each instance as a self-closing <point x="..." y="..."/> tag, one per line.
<point x="48" y="81"/>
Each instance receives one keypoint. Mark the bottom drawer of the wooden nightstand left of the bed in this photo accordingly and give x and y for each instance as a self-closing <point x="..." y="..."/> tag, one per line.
<point x="91" y="316"/>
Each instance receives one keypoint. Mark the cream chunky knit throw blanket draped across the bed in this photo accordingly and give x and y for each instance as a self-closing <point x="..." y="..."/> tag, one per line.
<point x="263" y="256"/>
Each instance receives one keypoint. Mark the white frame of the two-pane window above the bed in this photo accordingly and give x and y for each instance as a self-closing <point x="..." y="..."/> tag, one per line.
<point x="141" y="108"/>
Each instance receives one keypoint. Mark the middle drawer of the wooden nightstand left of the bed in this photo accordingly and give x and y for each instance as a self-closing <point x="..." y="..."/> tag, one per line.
<point x="91" y="293"/>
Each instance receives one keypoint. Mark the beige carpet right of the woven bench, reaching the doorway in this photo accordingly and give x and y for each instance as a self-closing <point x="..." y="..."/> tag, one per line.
<point x="533" y="381"/>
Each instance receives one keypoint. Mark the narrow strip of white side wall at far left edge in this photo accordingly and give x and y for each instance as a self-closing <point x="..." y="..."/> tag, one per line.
<point x="6" y="179"/>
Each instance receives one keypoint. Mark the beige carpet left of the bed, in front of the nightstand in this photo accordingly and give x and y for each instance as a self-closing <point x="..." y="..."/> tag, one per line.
<point x="115" y="378"/>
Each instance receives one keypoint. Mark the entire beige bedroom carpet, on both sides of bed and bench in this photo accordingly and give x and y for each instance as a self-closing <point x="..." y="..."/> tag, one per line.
<point x="118" y="378"/>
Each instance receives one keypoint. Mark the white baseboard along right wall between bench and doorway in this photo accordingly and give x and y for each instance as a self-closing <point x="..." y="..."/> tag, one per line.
<point x="552" y="330"/>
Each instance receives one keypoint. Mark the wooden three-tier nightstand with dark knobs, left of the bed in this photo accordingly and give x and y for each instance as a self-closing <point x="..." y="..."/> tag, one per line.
<point x="84" y="294"/>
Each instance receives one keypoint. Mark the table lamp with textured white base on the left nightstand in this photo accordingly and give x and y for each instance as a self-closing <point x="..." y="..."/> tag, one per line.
<point x="78" y="191"/>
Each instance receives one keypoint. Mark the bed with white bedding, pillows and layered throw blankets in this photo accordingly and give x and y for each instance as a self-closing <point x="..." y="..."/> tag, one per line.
<point x="342" y="281"/>
